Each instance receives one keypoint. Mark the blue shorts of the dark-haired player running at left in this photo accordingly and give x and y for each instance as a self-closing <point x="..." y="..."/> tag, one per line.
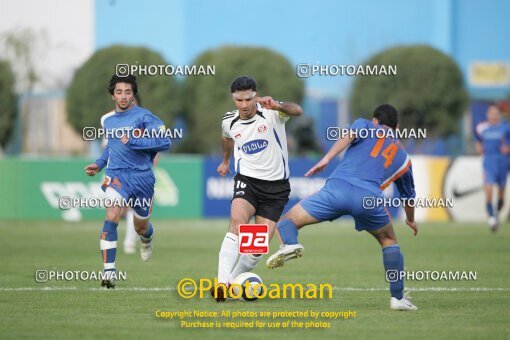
<point x="135" y="186"/>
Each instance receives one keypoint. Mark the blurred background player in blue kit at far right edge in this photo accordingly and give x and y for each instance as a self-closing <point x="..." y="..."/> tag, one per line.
<point x="492" y="143"/>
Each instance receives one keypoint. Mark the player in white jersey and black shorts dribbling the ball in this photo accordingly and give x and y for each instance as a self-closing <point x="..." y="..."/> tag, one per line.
<point x="256" y="134"/>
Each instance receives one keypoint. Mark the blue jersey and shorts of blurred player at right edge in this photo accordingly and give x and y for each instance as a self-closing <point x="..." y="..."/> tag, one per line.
<point x="495" y="163"/>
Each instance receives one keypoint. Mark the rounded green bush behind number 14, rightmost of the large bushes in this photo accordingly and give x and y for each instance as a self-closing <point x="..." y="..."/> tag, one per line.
<point x="428" y="90"/>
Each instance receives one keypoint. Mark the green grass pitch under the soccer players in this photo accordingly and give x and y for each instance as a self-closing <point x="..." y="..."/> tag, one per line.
<point x="334" y="253"/>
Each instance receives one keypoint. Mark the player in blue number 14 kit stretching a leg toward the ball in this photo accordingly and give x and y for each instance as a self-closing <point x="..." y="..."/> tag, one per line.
<point x="352" y="189"/>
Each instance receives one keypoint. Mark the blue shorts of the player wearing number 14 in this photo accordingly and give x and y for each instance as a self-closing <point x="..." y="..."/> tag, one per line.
<point x="338" y="197"/>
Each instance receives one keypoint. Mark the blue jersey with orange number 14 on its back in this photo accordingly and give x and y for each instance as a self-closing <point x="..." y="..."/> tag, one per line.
<point x="373" y="163"/>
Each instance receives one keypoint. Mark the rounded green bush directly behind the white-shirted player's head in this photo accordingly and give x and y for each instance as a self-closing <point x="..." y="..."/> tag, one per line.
<point x="206" y="99"/>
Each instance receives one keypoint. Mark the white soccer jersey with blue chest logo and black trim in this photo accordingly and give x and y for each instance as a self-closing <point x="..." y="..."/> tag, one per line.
<point x="260" y="149"/>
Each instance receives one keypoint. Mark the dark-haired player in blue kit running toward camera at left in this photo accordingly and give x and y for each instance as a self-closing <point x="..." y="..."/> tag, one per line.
<point x="128" y="158"/>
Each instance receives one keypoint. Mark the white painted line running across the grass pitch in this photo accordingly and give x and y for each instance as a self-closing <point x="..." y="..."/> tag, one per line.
<point x="169" y="289"/>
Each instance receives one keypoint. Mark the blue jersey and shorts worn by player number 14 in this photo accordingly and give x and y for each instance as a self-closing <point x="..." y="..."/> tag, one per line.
<point x="369" y="165"/>
